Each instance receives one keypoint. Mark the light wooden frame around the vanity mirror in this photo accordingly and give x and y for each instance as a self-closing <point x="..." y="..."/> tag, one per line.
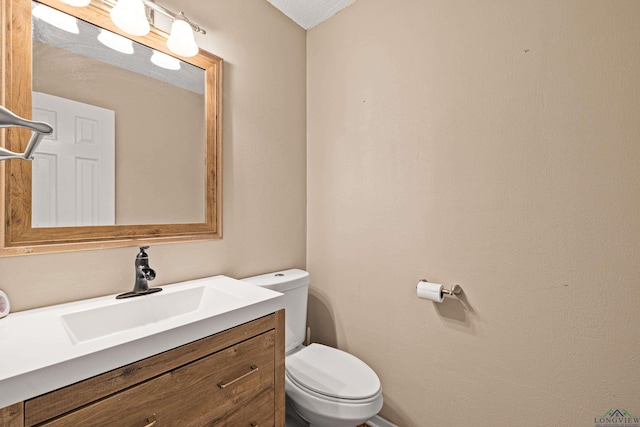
<point x="19" y="237"/>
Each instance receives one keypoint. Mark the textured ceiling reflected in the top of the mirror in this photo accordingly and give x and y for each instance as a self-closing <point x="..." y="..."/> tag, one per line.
<point x="86" y="44"/>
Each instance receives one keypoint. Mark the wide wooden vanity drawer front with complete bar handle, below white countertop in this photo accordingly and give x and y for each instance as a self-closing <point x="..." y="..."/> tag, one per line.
<point x="206" y="392"/>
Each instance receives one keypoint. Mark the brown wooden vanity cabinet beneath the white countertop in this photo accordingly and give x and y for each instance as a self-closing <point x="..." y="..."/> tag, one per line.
<point x="234" y="378"/>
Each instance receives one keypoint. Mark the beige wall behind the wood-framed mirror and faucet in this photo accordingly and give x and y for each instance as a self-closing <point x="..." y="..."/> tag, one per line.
<point x="264" y="170"/>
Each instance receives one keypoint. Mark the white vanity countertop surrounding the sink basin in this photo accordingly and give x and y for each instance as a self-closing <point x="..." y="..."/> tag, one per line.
<point x="38" y="354"/>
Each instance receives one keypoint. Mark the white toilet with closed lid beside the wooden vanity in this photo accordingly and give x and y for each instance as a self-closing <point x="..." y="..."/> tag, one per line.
<point x="325" y="386"/>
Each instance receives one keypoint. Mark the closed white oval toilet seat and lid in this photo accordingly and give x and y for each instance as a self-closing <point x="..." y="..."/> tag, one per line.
<point x="332" y="374"/>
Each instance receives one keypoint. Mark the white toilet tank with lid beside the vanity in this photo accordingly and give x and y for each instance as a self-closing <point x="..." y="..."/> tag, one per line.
<point x="294" y="284"/>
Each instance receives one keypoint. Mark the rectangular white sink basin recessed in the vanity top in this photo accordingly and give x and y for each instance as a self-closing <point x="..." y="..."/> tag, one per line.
<point x="101" y="321"/>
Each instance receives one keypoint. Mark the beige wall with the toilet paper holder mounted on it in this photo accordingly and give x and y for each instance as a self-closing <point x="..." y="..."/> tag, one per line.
<point x="494" y="144"/>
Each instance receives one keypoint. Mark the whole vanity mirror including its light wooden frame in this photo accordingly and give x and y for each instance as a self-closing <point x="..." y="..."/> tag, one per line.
<point x="165" y="166"/>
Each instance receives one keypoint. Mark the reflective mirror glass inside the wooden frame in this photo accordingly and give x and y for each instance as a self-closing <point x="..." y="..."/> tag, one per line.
<point x="110" y="110"/>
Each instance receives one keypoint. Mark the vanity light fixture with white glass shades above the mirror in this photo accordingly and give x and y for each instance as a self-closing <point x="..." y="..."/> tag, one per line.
<point x="131" y="17"/>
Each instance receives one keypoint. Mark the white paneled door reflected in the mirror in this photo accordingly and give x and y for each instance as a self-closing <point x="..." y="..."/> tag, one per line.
<point x="74" y="168"/>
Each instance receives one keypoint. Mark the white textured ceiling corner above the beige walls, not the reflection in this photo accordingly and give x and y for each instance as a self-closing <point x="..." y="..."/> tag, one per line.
<point x="309" y="13"/>
